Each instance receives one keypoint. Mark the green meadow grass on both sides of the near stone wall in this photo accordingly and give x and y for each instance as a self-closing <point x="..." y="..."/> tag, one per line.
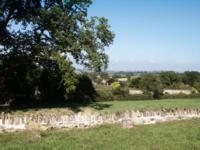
<point x="176" y="135"/>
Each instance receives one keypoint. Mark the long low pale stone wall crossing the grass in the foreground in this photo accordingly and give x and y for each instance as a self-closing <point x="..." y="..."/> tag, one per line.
<point x="85" y="120"/>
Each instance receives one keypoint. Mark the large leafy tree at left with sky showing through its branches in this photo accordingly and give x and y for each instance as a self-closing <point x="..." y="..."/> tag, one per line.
<point x="47" y="36"/>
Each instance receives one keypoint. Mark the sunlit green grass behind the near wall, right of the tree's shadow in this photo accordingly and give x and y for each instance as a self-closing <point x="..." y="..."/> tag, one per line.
<point x="116" y="106"/>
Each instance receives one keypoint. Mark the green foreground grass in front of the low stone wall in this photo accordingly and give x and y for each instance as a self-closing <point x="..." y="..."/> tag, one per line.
<point x="179" y="135"/>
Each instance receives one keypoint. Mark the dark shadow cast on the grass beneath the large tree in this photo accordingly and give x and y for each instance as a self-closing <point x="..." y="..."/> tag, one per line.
<point x="75" y="107"/>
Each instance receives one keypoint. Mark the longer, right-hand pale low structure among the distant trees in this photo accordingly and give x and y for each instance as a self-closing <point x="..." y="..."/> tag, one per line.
<point x="177" y="91"/>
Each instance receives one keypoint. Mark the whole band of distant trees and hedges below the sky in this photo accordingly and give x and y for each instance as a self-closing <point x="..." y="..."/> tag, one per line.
<point x="151" y="83"/>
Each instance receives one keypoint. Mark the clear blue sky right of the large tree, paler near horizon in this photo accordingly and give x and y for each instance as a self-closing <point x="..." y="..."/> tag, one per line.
<point x="152" y="35"/>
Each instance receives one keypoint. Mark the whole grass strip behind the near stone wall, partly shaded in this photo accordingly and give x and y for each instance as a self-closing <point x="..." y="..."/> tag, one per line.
<point x="117" y="106"/>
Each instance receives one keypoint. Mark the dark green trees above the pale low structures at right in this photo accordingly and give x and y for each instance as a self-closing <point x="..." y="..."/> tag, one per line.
<point x="157" y="82"/>
